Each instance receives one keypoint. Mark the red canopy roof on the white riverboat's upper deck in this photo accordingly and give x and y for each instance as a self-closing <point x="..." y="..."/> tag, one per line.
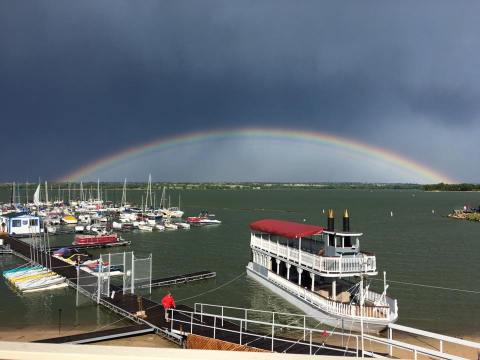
<point x="286" y="229"/>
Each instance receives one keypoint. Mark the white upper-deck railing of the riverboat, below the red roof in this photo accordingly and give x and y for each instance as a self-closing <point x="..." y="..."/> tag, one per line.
<point x="332" y="266"/>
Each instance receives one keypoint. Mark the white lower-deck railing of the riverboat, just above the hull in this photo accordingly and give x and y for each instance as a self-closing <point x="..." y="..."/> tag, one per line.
<point x="330" y="306"/>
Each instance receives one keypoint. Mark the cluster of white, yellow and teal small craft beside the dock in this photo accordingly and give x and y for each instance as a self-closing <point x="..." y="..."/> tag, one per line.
<point x="34" y="278"/>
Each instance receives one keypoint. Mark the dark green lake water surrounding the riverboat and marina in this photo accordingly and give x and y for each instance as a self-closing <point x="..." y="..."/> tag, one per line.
<point x="415" y="245"/>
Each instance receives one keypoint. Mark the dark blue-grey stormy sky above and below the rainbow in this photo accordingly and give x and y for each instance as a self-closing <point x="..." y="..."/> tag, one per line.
<point x="80" y="80"/>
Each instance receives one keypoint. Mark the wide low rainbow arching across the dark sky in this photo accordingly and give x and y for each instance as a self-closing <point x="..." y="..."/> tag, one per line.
<point x="320" y="138"/>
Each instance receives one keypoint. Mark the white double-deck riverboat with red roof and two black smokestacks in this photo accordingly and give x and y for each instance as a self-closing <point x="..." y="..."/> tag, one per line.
<point x="321" y="271"/>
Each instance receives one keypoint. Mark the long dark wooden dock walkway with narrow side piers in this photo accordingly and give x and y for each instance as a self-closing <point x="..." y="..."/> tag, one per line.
<point x="185" y="321"/>
